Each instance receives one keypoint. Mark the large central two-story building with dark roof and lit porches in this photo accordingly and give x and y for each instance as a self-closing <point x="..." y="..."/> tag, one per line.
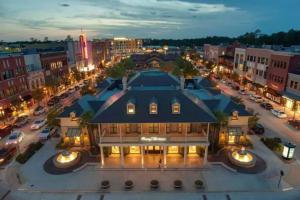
<point x="153" y="116"/>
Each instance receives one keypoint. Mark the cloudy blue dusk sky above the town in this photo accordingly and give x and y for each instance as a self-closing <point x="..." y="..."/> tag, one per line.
<point x="22" y="19"/>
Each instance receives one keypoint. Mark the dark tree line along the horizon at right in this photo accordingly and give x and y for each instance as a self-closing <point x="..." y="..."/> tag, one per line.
<point x="257" y="38"/>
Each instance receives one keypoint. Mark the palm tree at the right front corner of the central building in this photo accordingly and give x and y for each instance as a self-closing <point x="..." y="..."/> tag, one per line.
<point x="221" y="123"/>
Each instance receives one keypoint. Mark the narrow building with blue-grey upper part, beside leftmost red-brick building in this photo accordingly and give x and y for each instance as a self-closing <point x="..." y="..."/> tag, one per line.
<point x="35" y="74"/>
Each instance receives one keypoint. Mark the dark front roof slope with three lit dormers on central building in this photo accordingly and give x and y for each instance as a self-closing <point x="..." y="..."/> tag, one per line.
<point x="117" y="113"/>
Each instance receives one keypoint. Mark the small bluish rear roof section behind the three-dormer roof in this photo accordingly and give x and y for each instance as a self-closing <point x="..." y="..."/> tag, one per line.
<point x="153" y="79"/>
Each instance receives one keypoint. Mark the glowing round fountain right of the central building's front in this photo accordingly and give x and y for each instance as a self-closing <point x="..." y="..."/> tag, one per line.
<point x="242" y="158"/>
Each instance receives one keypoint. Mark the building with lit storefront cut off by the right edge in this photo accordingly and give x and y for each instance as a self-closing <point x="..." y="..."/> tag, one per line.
<point x="292" y="92"/>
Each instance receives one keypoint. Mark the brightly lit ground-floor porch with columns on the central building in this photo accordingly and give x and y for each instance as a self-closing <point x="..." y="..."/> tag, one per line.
<point x="155" y="157"/>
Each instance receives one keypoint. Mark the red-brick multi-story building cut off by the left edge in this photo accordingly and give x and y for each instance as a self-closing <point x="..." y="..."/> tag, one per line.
<point x="13" y="81"/>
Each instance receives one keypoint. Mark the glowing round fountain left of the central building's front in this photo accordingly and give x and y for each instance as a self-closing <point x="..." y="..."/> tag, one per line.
<point x="66" y="159"/>
